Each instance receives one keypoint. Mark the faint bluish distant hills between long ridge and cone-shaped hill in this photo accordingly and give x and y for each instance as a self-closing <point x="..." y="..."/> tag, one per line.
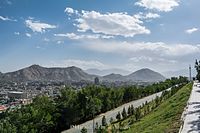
<point x="107" y="71"/>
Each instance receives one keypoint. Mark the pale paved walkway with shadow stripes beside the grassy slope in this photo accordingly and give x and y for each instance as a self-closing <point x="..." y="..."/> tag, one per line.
<point x="191" y="115"/>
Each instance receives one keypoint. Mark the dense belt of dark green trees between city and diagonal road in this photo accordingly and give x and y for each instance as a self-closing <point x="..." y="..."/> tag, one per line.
<point x="73" y="107"/>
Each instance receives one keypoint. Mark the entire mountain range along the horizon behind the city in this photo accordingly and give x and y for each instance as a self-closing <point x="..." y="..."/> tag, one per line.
<point x="39" y="73"/>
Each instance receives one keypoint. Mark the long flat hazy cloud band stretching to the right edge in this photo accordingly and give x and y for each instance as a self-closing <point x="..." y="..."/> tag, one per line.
<point x="144" y="48"/>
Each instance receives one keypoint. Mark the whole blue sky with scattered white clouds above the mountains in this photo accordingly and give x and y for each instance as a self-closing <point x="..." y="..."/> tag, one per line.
<point x="162" y="35"/>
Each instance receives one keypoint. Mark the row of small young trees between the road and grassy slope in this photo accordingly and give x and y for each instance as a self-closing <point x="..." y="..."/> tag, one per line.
<point x="135" y="114"/>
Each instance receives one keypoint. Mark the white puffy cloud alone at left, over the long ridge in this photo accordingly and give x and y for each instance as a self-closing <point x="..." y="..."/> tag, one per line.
<point x="37" y="26"/>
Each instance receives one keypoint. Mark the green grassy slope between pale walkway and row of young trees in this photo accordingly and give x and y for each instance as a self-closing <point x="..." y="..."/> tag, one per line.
<point x="166" y="117"/>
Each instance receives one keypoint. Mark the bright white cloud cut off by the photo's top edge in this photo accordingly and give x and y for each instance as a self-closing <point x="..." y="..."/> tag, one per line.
<point x="159" y="5"/>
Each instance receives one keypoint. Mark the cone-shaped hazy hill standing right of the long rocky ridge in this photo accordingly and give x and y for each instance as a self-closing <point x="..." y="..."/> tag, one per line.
<point x="145" y="75"/>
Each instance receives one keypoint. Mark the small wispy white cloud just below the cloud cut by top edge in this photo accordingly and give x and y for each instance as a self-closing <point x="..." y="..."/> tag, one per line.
<point x="147" y="16"/>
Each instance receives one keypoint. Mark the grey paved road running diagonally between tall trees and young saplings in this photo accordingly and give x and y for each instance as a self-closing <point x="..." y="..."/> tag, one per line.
<point x="111" y="113"/>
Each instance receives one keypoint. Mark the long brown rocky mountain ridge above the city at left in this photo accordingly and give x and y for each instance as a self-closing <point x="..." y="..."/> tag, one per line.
<point x="38" y="73"/>
